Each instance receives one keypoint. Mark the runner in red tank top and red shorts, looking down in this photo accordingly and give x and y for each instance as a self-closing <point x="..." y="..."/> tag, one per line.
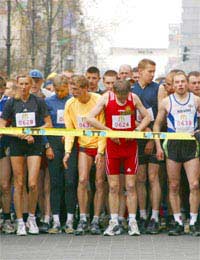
<point x="119" y="107"/>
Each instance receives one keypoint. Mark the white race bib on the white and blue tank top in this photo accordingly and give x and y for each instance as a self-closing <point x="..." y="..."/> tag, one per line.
<point x="184" y="122"/>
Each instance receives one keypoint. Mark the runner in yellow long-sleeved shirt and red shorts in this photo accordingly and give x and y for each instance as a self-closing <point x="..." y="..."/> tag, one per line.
<point x="90" y="149"/>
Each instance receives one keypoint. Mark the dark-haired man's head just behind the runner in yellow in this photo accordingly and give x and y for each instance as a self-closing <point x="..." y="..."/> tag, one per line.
<point x="93" y="77"/>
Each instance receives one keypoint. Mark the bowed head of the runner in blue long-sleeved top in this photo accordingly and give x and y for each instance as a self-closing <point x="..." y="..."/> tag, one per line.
<point x="60" y="84"/>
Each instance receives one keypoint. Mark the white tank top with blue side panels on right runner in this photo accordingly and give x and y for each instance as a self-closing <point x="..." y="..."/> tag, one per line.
<point x="182" y="117"/>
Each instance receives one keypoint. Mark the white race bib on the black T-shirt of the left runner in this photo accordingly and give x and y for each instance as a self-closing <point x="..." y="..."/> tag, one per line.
<point x="25" y="119"/>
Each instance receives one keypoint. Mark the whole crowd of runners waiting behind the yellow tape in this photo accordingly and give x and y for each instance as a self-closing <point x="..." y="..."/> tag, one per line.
<point x="71" y="182"/>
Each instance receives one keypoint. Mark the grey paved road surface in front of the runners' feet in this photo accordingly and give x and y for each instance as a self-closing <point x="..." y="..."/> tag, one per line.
<point x="88" y="247"/>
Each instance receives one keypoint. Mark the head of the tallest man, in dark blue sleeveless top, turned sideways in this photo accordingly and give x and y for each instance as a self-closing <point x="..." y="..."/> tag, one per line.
<point x="146" y="69"/>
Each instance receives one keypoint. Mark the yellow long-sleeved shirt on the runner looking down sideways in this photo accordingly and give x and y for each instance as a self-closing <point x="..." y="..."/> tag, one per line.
<point x="74" y="114"/>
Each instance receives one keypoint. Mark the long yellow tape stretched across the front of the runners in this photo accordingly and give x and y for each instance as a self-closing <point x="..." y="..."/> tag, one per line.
<point x="90" y="133"/>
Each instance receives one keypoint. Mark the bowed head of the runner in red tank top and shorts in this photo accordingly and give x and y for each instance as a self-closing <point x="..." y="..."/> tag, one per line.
<point x="121" y="89"/>
